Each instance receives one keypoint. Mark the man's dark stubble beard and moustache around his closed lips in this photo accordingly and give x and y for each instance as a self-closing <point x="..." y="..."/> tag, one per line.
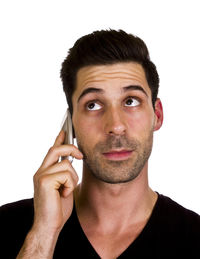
<point x="115" y="172"/>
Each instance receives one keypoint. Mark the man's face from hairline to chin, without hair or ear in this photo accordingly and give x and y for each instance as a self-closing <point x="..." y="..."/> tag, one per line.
<point x="114" y="120"/>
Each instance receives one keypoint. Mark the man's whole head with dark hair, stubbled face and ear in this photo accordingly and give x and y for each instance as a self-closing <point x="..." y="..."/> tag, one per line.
<point x="112" y="87"/>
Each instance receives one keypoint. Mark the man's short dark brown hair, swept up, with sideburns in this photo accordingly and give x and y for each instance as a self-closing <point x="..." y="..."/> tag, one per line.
<point x="107" y="47"/>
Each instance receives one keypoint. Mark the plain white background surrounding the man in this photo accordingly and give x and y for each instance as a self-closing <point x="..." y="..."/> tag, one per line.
<point x="35" y="37"/>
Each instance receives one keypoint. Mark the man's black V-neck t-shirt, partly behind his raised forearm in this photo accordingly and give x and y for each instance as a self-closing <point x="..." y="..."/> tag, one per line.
<point x="171" y="232"/>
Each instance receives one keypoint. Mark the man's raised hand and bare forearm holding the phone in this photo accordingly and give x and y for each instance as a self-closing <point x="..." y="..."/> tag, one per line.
<point x="54" y="184"/>
